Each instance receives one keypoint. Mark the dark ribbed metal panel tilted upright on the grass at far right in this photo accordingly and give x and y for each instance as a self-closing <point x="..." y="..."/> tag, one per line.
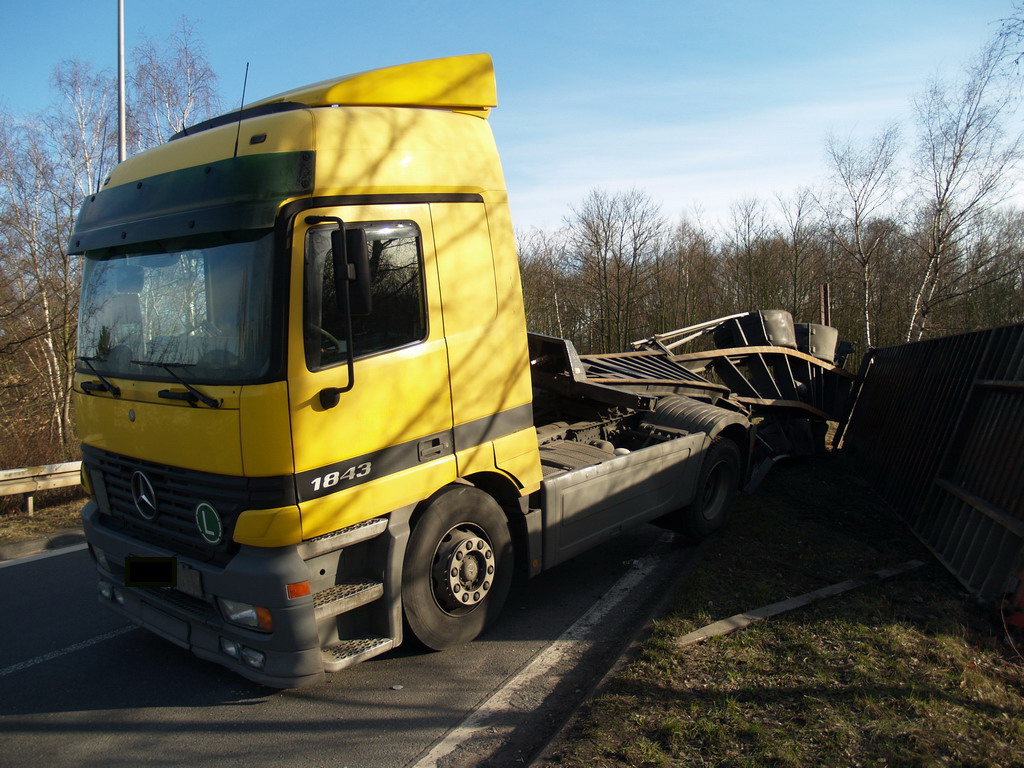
<point x="938" y="431"/>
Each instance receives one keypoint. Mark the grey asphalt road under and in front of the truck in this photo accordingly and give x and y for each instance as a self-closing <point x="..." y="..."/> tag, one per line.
<point x="80" y="687"/>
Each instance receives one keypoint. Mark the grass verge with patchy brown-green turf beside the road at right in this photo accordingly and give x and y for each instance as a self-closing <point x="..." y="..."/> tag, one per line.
<point x="909" y="672"/>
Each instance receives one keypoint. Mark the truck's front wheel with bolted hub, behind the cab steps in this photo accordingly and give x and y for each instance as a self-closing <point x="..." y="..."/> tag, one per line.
<point x="458" y="568"/>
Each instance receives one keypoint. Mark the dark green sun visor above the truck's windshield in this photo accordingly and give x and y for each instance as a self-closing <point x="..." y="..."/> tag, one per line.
<point x="237" y="194"/>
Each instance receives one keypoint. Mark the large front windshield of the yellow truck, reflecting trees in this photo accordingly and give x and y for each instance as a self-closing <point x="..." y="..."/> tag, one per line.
<point x="200" y="306"/>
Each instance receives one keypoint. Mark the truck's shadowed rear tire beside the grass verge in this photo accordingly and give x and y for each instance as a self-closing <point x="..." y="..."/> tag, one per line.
<point x="716" y="490"/>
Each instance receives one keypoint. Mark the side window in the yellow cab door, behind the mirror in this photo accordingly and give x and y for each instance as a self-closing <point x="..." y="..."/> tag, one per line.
<point x="399" y="316"/>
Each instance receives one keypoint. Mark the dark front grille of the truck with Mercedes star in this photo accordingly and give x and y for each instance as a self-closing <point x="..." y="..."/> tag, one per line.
<point x="178" y="494"/>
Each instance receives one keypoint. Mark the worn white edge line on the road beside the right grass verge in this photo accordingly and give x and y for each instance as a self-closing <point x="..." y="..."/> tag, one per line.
<point x="504" y="700"/>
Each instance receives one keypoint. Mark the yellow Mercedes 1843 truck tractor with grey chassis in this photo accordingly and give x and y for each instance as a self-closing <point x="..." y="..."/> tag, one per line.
<point x="312" y="418"/>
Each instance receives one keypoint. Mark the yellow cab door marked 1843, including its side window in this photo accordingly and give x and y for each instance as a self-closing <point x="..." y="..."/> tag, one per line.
<point x="388" y="443"/>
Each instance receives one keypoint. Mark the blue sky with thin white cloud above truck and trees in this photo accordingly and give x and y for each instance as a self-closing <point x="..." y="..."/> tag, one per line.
<point x="701" y="104"/>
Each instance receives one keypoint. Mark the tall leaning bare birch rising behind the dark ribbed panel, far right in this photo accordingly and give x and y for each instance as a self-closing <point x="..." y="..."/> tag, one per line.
<point x="965" y="165"/>
